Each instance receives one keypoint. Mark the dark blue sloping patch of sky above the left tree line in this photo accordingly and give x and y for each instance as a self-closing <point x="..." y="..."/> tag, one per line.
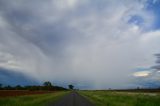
<point x="8" y="77"/>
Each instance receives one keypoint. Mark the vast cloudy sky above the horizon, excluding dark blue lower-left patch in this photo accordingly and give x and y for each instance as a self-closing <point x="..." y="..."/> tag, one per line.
<point x="92" y="44"/>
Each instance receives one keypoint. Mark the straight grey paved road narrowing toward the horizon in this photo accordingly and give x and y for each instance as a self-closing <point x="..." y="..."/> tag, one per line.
<point x="73" y="99"/>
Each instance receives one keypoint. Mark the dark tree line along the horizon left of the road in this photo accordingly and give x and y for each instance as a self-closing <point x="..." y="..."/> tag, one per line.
<point x="46" y="86"/>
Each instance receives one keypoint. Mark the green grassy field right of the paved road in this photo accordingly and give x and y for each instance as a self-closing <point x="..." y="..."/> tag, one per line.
<point x="113" y="98"/>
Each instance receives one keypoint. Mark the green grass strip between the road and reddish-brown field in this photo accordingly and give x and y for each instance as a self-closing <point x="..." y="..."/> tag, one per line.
<point x="32" y="100"/>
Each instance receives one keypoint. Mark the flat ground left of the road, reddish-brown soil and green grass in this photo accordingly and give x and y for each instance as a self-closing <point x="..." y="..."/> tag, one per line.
<point x="40" y="99"/>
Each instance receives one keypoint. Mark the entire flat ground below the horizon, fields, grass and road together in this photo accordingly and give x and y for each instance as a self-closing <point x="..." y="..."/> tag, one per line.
<point x="81" y="98"/>
